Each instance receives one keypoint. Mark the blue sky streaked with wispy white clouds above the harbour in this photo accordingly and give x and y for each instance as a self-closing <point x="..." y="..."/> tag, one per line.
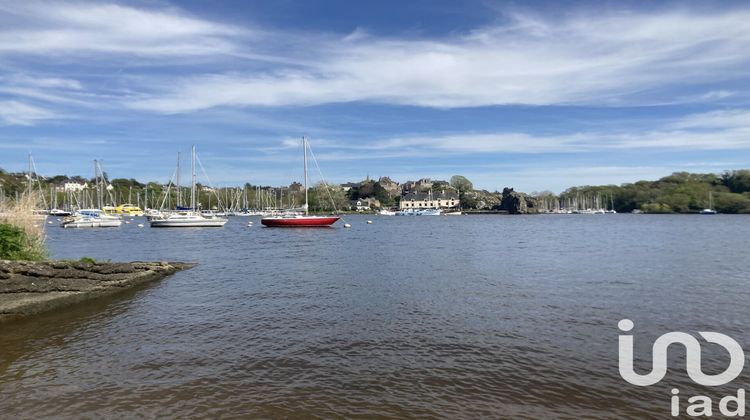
<point x="534" y="95"/>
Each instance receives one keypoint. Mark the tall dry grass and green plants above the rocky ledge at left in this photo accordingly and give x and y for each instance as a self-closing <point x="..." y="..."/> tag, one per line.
<point x="21" y="233"/>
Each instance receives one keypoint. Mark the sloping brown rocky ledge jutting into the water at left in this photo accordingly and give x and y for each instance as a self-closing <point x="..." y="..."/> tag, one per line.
<point x="29" y="287"/>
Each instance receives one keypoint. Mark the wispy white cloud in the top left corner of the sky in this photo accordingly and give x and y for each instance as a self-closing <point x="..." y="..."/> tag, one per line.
<point x="59" y="28"/>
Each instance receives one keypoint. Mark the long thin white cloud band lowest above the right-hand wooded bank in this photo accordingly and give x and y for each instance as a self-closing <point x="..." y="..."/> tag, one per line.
<point x="718" y="130"/>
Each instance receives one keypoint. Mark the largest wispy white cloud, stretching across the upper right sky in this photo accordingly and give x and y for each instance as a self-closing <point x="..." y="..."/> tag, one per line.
<point x="605" y="59"/>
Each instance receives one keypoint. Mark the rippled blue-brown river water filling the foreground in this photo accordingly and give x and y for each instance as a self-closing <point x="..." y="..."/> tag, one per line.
<point x="460" y="317"/>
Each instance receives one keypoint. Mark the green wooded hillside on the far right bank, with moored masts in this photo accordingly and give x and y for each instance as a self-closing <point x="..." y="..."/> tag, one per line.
<point x="680" y="192"/>
